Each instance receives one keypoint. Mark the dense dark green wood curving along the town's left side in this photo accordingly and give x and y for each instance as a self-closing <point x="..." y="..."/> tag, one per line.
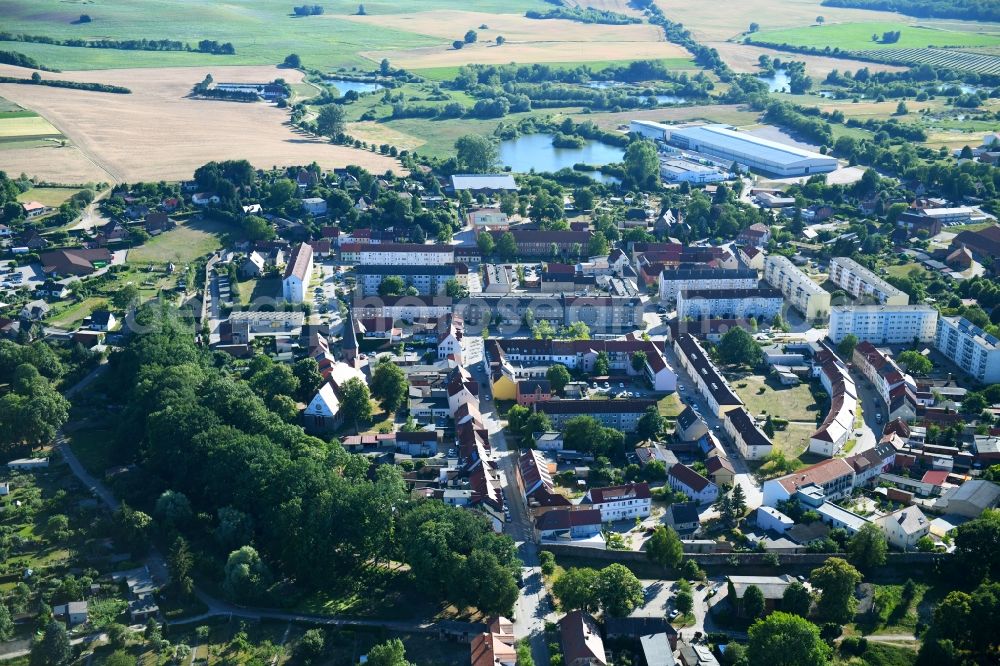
<point x="282" y="503"/>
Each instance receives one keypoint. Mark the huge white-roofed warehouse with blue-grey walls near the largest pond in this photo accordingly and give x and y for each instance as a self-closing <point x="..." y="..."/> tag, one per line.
<point x="750" y="151"/>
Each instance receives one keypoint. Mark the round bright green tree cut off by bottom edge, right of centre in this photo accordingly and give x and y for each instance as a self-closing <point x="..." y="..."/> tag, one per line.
<point x="782" y="639"/>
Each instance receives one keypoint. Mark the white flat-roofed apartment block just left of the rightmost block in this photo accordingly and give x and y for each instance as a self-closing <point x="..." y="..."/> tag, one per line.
<point x="884" y="324"/>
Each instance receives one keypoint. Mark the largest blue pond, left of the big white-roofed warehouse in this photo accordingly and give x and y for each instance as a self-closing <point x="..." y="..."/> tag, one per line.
<point x="535" y="151"/>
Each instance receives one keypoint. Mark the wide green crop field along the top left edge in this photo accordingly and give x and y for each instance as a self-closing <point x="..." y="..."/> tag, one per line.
<point x="262" y="31"/>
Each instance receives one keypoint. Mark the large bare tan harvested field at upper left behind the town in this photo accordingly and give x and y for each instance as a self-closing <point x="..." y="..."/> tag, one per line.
<point x="158" y="133"/>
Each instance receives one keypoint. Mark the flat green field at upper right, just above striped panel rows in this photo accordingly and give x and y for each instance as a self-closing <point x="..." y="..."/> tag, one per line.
<point x="858" y="36"/>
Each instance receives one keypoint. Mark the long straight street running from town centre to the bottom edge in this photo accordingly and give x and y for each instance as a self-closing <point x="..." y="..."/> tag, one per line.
<point x="534" y="607"/>
